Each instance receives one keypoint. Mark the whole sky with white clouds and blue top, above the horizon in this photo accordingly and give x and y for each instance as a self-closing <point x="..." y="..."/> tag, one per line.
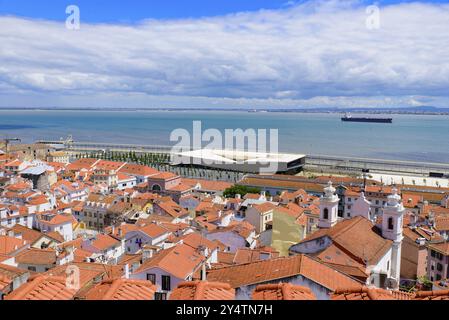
<point x="224" y="53"/>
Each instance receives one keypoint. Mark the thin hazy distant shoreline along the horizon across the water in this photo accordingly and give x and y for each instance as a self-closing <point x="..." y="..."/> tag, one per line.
<point x="409" y="111"/>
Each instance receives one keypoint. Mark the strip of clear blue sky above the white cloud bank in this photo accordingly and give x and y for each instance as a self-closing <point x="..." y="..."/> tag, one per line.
<point x="129" y="11"/>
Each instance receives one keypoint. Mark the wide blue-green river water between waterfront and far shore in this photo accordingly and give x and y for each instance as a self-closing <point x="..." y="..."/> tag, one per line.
<point x="410" y="137"/>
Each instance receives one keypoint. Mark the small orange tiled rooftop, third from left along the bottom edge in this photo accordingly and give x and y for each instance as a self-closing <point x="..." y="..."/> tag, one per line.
<point x="202" y="290"/>
